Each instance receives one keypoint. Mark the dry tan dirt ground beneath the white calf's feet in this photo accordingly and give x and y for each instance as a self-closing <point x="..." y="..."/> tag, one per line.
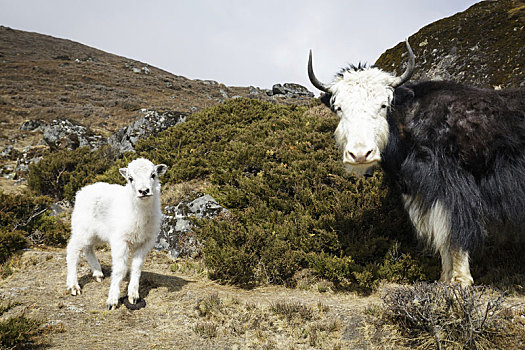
<point x="184" y="310"/>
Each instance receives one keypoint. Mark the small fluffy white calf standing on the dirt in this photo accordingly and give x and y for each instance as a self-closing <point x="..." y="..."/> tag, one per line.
<point x="127" y="217"/>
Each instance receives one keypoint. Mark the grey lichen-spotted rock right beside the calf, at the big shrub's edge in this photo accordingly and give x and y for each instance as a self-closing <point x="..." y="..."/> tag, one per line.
<point x="176" y="235"/>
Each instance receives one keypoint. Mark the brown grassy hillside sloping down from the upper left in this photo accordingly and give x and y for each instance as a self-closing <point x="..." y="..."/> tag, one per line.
<point x="43" y="78"/>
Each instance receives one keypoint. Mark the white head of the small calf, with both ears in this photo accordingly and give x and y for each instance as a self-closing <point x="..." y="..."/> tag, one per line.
<point x="143" y="177"/>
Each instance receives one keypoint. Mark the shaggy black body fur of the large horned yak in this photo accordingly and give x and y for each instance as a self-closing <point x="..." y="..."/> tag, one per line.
<point x="464" y="147"/>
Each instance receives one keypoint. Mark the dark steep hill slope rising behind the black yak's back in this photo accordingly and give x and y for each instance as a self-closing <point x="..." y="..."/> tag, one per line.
<point x="483" y="46"/>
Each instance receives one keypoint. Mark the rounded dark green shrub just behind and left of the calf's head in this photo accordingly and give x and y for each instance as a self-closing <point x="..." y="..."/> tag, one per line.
<point x="61" y="174"/>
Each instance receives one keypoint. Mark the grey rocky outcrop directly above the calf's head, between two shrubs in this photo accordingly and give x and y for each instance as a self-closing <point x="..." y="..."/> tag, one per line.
<point x="152" y="123"/>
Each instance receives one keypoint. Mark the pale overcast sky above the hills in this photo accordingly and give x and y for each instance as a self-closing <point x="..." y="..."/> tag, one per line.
<point x="235" y="42"/>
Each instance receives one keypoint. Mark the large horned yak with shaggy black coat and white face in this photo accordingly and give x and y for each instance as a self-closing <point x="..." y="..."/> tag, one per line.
<point x="456" y="152"/>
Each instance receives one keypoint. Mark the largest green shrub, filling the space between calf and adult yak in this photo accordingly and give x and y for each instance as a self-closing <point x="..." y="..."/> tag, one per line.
<point x="292" y="204"/>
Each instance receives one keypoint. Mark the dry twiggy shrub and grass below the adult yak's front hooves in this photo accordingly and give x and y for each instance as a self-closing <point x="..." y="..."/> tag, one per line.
<point x="442" y="316"/>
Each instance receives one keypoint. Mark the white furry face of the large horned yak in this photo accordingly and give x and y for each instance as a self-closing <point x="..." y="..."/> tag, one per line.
<point x="361" y="99"/>
